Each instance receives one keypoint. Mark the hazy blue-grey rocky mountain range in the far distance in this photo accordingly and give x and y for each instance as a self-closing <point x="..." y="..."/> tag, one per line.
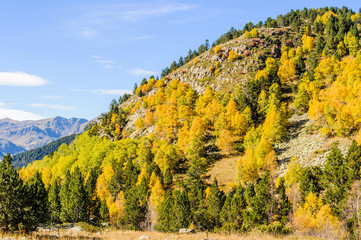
<point x="19" y="136"/>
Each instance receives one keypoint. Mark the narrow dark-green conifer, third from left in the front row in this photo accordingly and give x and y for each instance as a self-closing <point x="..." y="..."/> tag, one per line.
<point x="54" y="202"/>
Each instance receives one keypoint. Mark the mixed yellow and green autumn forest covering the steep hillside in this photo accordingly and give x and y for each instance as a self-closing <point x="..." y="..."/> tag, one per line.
<point x="151" y="175"/>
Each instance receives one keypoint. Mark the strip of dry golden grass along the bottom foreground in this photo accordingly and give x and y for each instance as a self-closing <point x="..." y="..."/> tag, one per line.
<point x="134" y="235"/>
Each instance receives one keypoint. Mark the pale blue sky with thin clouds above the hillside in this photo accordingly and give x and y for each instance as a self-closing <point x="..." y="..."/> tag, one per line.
<point x="71" y="58"/>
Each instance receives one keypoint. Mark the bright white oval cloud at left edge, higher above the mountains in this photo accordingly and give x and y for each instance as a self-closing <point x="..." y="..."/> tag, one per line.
<point x="20" y="79"/>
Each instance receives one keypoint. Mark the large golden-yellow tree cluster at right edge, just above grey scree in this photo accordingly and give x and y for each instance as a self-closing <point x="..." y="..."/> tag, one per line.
<point x="337" y="107"/>
